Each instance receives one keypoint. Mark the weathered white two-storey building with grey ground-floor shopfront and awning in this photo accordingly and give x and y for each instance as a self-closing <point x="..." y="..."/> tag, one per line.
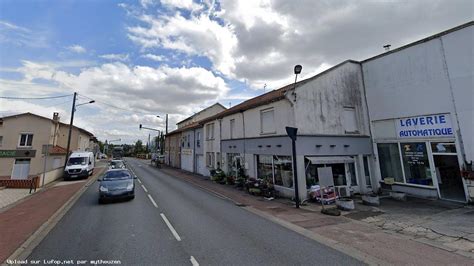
<point x="329" y="110"/>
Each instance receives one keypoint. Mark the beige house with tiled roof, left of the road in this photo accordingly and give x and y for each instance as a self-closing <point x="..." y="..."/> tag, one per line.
<point x="22" y="138"/>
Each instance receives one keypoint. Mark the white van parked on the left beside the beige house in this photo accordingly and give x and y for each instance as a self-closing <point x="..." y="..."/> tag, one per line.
<point x="79" y="165"/>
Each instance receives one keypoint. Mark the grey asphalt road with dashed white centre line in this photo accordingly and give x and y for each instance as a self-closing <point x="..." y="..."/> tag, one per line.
<point x="172" y="222"/>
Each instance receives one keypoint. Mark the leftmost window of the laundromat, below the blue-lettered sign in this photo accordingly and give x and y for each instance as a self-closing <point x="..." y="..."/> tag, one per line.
<point x="389" y="160"/>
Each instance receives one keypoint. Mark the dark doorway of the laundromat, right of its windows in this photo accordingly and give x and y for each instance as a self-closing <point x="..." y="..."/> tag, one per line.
<point x="449" y="177"/>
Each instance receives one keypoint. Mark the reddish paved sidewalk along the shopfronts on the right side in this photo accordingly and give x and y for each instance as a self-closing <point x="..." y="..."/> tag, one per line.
<point x="365" y="240"/>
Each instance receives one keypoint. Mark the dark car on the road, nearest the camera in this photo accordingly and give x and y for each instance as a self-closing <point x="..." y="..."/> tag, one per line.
<point x="116" y="184"/>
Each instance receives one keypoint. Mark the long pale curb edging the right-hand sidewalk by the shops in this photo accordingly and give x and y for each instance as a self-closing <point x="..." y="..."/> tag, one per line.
<point x="354" y="253"/>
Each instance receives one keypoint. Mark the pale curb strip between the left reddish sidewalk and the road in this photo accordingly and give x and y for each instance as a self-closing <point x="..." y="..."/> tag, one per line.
<point x="25" y="249"/>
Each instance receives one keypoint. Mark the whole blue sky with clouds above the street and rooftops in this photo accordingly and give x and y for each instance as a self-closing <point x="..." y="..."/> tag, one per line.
<point x="143" y="59"/>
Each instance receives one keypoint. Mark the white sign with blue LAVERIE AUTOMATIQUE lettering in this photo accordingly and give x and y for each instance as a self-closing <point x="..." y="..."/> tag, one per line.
<point x="425" y="126"/>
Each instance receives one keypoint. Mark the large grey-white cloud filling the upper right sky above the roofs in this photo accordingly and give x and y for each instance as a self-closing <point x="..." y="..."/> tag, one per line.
<point x="260" y="41"/>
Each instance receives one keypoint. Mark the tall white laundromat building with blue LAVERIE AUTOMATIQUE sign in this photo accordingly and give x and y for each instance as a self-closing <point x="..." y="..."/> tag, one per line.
<point x="420" y="98"/>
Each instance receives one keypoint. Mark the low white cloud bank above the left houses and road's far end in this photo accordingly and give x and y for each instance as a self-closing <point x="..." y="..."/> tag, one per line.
<point x="140" y="92"/>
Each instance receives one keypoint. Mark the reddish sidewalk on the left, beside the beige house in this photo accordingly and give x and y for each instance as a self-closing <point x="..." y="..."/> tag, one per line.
<point x="19" y="222"/>
